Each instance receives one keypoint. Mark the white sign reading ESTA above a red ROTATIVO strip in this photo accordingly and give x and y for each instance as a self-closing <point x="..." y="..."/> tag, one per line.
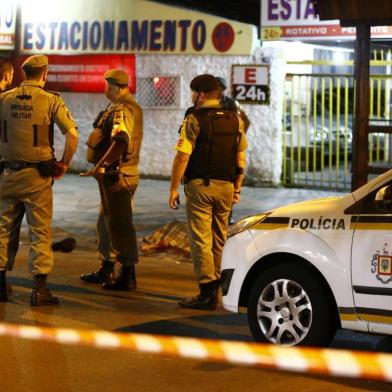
<point x="297" y="19"/>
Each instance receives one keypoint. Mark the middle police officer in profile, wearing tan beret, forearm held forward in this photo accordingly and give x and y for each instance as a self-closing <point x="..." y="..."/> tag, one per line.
<point x="118" y="176"/>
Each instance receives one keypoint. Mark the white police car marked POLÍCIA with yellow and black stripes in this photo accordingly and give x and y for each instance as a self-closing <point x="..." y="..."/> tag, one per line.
<point x="304" y="270"/>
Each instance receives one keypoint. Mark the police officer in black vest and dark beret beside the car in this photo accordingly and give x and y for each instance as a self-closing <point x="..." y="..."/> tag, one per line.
<point x="211" y="159"/>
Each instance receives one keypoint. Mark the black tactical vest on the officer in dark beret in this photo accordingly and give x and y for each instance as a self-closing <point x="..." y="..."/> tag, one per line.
<point x="216" y="146"/>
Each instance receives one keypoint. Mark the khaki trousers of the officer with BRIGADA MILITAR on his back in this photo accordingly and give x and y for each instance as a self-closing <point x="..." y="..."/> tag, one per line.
<point x="26" y="192"/>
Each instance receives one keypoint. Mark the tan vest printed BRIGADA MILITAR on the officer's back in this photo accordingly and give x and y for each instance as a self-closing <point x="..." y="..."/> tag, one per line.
<point x="26" y="131"/>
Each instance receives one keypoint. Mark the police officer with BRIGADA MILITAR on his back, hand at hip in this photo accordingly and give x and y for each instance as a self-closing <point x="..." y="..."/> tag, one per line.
<point x="27" y="115"/>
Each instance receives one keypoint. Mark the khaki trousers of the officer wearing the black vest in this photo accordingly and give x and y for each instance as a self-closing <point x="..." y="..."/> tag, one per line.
<point x="207" y="209"/>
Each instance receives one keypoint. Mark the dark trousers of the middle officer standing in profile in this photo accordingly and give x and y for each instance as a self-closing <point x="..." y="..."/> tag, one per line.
<point x="115" y="230"/>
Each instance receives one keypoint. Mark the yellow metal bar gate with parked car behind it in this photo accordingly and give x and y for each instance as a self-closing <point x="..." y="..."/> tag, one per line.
<point x="318" y="112"/>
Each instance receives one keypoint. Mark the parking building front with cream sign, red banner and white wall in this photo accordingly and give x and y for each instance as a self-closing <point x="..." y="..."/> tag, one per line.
<point x="162" y="48"/>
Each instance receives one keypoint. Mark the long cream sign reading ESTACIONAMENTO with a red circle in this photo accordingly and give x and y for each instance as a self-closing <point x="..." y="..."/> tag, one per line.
<point x="128" y="26"/>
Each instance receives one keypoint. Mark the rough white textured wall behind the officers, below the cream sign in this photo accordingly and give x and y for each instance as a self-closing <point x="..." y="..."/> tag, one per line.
<point x="161" y="126"/>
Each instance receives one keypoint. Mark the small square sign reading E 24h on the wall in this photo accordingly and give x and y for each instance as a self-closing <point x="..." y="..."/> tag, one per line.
<point x="250" y="84"/>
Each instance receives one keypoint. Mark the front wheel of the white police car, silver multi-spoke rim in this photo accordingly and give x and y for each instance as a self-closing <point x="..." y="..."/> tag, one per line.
<point x="288" y="306"/>
